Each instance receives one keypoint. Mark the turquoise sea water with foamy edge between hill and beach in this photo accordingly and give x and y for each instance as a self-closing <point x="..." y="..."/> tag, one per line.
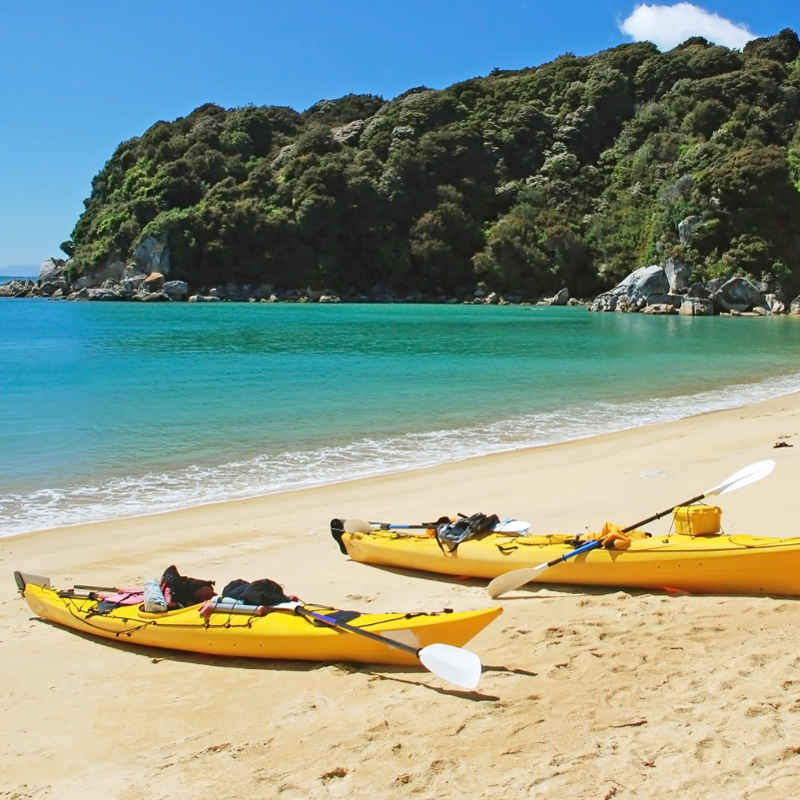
<point x="114" y="409"/>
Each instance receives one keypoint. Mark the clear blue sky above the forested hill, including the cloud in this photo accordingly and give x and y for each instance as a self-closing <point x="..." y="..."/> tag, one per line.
<point x="80" y="77"/>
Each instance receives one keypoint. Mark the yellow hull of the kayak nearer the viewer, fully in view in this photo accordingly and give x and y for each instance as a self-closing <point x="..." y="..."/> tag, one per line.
<point x="277" y="635"/>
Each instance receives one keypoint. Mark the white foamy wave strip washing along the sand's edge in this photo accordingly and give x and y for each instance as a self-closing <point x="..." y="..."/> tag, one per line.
<point x="193" y="485"/>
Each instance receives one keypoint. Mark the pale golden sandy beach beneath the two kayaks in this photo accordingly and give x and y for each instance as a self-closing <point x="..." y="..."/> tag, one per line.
<point x="585" y="693"/>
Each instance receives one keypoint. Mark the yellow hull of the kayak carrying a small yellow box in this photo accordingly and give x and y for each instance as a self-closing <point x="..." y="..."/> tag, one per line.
<point x="719" y="564"/>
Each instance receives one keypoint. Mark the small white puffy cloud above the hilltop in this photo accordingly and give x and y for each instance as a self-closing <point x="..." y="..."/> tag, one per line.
<point x="668" y="26"/>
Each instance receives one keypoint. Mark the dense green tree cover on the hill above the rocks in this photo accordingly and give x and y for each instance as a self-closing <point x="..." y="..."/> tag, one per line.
<point x="572" y="174"/>
